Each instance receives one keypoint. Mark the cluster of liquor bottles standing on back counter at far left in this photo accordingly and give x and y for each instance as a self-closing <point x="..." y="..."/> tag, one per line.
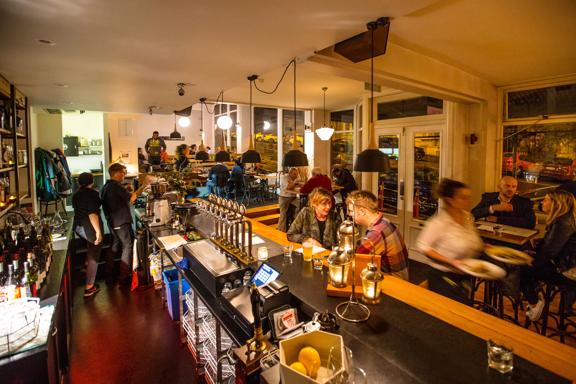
<point x="25" y="257"/>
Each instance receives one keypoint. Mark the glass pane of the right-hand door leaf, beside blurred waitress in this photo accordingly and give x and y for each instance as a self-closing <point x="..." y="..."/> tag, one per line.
<point x="426" y="174"/>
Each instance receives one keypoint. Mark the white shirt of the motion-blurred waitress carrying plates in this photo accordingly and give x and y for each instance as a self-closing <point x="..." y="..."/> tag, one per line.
<point x="450" y="239"/>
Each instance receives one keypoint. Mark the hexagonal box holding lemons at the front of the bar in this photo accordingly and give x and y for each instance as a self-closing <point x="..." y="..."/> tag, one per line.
<point x="323" y="343"/>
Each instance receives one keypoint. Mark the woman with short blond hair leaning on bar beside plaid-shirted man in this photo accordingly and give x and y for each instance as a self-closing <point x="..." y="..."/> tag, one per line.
<point x="318" y="222"/>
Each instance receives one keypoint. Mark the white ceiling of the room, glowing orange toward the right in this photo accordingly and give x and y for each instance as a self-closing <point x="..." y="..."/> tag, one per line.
<point x="126" y="55"/>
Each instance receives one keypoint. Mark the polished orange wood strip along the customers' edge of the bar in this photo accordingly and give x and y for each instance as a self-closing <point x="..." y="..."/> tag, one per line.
<point x="550" y="354"/>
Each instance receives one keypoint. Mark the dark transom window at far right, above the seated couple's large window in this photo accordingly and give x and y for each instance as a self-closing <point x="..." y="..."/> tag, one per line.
<point x="557" y="100"/>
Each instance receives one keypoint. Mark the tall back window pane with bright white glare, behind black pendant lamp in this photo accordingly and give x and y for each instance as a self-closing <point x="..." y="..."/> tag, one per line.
<point x="266" y="136"/>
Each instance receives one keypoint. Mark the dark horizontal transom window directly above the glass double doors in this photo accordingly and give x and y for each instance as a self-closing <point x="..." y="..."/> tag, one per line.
<point x="420" y="106"/>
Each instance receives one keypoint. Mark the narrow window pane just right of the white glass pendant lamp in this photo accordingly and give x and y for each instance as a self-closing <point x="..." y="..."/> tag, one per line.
<point x="342" y="143"/>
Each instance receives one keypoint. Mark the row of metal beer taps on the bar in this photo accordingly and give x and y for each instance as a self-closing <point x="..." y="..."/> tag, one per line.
<point x="230" y="226"/>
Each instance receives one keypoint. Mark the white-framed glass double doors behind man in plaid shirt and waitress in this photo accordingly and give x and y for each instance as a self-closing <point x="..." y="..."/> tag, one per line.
<point x="405" y="193"/>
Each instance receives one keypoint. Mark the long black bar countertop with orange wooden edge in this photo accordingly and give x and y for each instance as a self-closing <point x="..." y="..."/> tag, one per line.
<point x="413" y="335"/>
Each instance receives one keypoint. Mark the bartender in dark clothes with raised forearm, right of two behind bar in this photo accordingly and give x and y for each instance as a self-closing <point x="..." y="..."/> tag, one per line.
<point x="116" y="201"/>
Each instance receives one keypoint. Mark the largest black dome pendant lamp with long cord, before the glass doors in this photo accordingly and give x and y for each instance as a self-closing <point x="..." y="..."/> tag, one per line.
<point x="372" y="159"/>
